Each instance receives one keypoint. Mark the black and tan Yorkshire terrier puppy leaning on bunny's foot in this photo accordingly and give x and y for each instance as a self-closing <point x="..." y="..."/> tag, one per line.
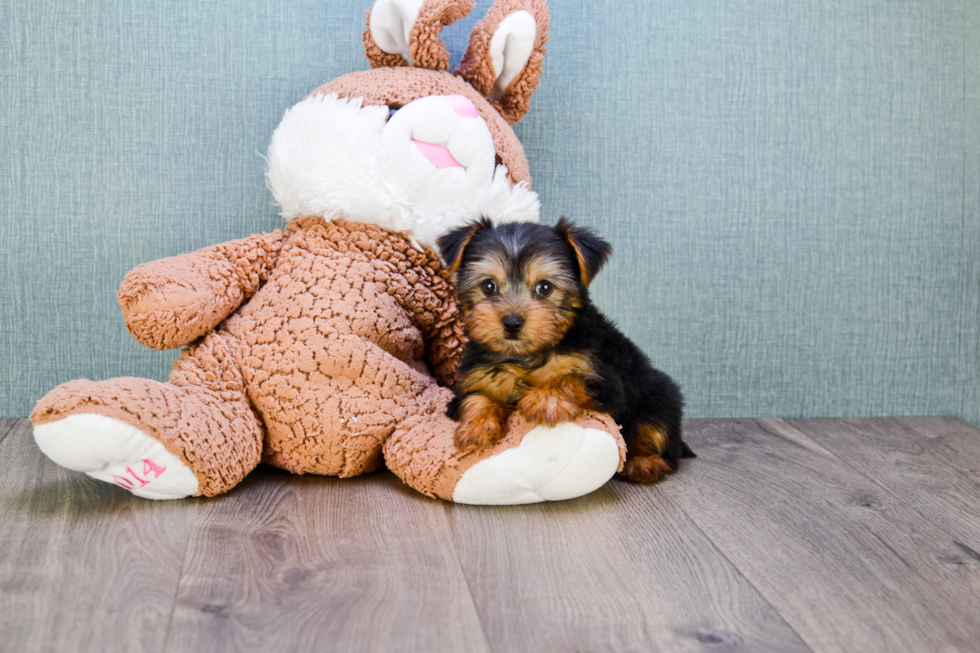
<point x="539" y="346"/>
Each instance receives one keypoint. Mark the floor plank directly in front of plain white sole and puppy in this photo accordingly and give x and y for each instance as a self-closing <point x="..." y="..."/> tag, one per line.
<point x="622" y="569"/>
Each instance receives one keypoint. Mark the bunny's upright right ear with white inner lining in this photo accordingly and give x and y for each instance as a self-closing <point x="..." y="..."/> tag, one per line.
<point x="506" y="51"/>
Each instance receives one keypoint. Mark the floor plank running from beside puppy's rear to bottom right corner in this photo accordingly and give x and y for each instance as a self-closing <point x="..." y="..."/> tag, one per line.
<point x="848" y="565"/>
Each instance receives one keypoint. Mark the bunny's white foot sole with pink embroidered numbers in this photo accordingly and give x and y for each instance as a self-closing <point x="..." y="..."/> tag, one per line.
<point x="114" y="452"/>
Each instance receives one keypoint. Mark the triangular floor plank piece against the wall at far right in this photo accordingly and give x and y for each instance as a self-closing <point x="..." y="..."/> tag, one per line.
<point x="931" y="475"/>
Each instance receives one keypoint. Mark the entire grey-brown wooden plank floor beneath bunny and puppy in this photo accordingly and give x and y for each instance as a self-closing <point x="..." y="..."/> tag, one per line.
<point x="799" y="535"/>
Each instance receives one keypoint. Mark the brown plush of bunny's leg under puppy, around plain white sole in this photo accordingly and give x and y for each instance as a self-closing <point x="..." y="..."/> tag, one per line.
<point x="421" y="452"/>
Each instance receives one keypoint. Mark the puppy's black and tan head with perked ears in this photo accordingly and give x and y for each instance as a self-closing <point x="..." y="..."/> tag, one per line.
<point x="520" y="284"/>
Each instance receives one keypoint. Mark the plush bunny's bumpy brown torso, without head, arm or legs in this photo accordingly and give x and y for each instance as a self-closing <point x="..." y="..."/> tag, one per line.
<point x="332" y="341"/>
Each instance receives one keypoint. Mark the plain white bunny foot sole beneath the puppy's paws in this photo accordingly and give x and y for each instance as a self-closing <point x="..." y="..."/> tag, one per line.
<point x="550" y="464"/>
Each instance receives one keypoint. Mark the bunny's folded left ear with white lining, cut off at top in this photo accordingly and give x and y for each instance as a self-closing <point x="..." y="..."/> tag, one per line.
<point x="406" y="32"/>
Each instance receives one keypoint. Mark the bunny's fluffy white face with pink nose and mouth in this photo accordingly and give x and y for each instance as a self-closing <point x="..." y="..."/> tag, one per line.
<point x="423" y="169"/>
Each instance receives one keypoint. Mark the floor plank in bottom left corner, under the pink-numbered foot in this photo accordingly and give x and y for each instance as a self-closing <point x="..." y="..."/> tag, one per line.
<point x="84" y="566"/>
